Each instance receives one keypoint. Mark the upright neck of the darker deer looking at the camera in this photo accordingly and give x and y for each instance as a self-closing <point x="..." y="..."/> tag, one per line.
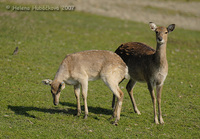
<point x="160" y="55"/>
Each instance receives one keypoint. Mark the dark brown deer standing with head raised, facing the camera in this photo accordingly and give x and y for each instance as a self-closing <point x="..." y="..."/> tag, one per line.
<point x="147" y="65"/>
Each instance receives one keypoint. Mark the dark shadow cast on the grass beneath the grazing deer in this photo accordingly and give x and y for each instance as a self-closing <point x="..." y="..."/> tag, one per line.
<point x="23" y="110"/>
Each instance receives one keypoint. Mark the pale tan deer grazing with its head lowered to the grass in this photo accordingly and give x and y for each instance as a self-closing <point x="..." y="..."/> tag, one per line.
<point x="79" y="68"/>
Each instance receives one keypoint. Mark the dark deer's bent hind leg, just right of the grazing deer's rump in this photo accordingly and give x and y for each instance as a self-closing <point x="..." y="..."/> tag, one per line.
<point x="129" y="88"/>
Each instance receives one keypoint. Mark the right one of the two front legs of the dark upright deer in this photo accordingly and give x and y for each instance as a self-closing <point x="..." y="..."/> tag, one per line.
<point x="159" y="91"/>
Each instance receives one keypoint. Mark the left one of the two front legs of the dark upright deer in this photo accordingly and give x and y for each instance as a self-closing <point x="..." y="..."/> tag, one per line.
<point x="150" y="87"/>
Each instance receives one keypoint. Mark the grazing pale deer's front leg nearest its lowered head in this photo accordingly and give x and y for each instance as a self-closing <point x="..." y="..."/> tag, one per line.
<point x="77" y="94"/>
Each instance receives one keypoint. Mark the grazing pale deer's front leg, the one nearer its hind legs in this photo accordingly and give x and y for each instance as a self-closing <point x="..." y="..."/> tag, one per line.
<point x="84" y="93"/>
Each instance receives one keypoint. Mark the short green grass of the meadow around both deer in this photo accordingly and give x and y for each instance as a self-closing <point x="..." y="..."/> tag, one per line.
<point x="44" y="38"/>
